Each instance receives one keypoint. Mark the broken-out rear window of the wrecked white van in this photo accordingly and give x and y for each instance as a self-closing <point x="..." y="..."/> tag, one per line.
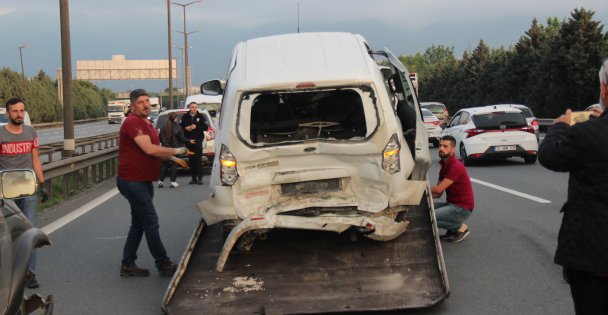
<point x="338" y="114"/>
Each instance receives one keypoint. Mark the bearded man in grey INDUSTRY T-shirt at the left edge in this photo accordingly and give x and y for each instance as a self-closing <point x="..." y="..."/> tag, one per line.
<point x="19" y="150"/>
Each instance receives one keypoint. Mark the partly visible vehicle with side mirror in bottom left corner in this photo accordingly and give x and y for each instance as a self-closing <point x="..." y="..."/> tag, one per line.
<point x="18" y="239"/>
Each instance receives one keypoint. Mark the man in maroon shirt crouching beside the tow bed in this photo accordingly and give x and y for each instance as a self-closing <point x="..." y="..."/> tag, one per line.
<point x="454" y="180"/>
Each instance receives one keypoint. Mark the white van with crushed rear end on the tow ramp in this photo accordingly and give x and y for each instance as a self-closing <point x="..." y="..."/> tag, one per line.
<point x="313" y="134"/>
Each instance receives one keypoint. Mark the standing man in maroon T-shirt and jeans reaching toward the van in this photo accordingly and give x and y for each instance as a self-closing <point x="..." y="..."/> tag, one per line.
<point x="138" y="163"/>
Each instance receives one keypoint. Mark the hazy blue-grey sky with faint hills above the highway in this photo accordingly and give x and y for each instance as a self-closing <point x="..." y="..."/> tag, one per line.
<point x="138" y="28"/>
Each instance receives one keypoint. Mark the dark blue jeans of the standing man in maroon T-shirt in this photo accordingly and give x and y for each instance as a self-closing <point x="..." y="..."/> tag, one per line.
<point x="143" y="221"/>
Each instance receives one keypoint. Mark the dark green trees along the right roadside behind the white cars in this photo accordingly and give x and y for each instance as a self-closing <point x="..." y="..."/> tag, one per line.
<point x="552" y="67"/>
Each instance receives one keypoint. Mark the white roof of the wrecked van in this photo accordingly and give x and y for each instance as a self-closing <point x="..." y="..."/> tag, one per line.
<point x="283" y="61"/>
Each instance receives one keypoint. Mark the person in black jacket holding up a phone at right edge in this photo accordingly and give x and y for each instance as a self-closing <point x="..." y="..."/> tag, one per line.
<point x="582" y="249"/>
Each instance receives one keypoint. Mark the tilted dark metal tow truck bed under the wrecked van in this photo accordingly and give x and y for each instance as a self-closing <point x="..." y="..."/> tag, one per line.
<point x="303" y="272"/>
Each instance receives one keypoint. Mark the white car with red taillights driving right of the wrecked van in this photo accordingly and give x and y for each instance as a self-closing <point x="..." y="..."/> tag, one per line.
<point x="492" y="132"/>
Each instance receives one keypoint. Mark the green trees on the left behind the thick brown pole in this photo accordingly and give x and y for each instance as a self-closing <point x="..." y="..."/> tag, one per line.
<point x="40" y="95"/>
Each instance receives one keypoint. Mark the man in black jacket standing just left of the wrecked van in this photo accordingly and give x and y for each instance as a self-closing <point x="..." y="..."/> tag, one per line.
<point x="195" y="125"/>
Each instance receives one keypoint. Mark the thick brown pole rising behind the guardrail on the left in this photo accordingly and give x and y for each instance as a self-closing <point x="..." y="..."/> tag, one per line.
<point x="66" y="64"/>
